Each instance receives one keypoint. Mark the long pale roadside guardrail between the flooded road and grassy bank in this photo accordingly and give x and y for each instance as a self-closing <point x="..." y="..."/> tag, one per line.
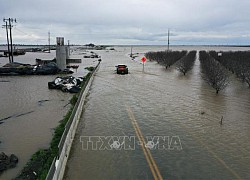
<point x="58" y="166"/>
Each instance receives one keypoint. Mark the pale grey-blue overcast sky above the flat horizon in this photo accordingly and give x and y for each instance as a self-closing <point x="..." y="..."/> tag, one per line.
<point x="126" y="22"/>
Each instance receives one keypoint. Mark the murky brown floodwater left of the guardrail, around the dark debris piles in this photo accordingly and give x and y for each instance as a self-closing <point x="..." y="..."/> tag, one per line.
<point x="31" y="110"/>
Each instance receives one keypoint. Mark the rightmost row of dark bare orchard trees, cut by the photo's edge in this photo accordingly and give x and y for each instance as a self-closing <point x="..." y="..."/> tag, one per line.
<point x="237" y="62"/>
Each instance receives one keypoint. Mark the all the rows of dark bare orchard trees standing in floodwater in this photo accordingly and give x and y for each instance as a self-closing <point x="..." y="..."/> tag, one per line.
<point x="213" y="64"/>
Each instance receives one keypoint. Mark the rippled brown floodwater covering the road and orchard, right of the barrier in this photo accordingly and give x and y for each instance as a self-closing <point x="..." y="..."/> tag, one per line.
<point x="161" y="103"/>
